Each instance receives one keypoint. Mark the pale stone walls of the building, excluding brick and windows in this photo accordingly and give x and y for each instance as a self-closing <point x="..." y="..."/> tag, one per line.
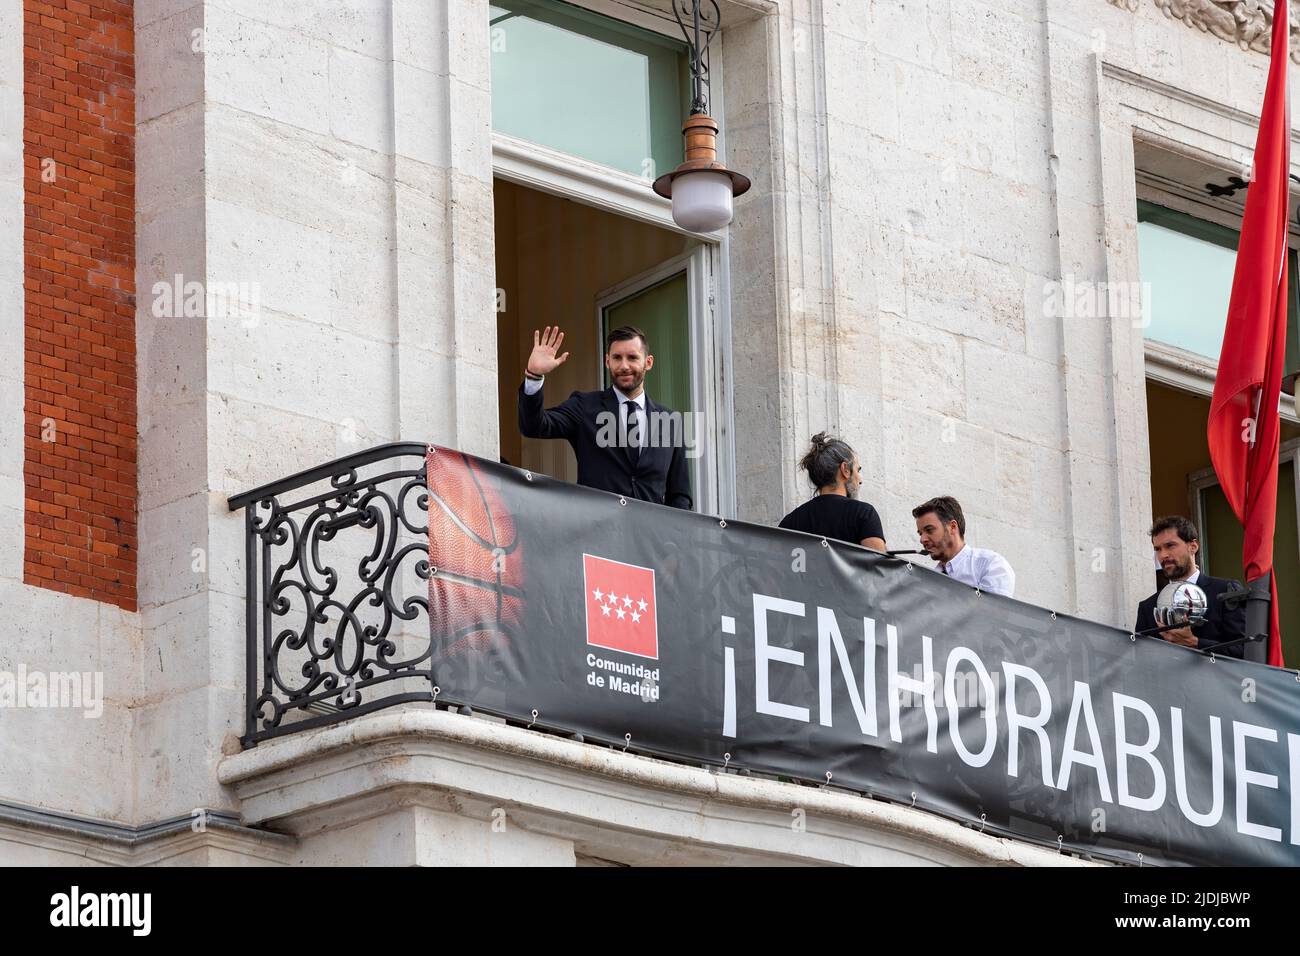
<point x="924" y="172"/>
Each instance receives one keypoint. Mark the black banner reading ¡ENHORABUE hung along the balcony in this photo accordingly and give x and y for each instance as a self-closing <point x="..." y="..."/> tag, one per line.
<point x="752" y="647"/>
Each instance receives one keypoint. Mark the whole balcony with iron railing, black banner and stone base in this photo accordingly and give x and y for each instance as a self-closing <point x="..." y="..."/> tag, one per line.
<point x="353" y="746"/>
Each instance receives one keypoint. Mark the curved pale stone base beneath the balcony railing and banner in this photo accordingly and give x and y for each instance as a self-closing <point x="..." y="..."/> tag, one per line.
<point x="437" y="789"/>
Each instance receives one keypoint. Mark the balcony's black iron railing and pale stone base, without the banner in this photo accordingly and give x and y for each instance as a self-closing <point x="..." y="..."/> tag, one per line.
<point x="349" y="749"/>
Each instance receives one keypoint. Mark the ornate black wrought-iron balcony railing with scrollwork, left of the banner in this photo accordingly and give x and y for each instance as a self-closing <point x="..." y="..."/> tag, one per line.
<point x="326" y="643"/>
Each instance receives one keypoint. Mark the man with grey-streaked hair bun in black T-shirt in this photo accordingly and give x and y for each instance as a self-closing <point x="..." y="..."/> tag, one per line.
<point x="835" y="512"/>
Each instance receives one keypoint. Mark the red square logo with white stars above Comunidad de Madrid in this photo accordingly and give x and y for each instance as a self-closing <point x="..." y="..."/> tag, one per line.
<point x="621" y="613"/>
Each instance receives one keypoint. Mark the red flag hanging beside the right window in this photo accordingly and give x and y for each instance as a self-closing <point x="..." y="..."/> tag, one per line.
<point x="1245" y="425"/>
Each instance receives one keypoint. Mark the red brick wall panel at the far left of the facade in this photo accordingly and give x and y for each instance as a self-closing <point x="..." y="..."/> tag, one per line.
<point x="80" y="266"/>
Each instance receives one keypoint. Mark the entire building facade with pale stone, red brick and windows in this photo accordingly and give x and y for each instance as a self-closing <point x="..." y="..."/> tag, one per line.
<point x="242" y="240"/>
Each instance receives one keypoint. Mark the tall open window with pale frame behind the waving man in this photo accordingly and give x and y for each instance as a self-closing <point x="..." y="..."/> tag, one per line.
<point x="583" y="243"/>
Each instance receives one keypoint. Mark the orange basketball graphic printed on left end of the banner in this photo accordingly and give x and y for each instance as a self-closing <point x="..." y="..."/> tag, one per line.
<point x="476" y="578"/>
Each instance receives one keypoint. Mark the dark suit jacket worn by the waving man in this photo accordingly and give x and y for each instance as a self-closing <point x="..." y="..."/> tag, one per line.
<point x="660" y="474"/>
